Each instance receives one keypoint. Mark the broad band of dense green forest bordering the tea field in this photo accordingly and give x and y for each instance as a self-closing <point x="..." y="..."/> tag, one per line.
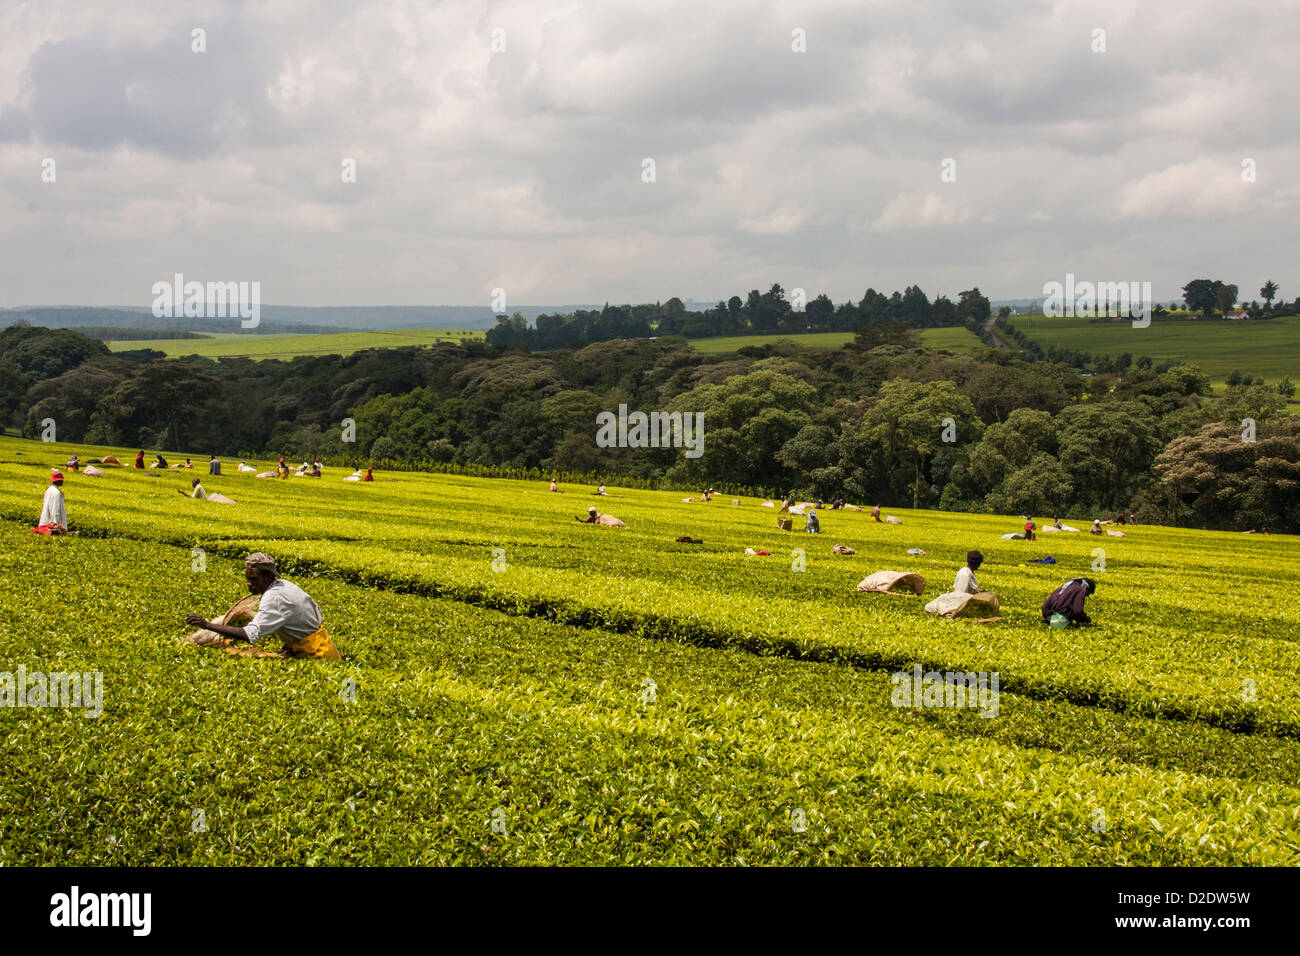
<point x="864" y="422"/>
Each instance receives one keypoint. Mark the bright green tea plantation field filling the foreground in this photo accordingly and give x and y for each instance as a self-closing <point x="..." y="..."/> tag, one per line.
<point x="535" y="691"/>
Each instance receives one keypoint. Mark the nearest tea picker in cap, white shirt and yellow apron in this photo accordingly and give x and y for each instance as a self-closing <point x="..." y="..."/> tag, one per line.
<point x="285" y="611"/>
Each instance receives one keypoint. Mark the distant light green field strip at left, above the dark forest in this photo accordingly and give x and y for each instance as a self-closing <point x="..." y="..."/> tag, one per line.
<point x="246" y="345"/>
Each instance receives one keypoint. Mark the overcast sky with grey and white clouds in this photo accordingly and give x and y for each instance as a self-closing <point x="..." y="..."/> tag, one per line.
<point x="504" y="145"/>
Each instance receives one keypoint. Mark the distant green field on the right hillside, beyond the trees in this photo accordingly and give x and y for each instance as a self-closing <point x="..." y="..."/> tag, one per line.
<point x="1269" y="349"/>
